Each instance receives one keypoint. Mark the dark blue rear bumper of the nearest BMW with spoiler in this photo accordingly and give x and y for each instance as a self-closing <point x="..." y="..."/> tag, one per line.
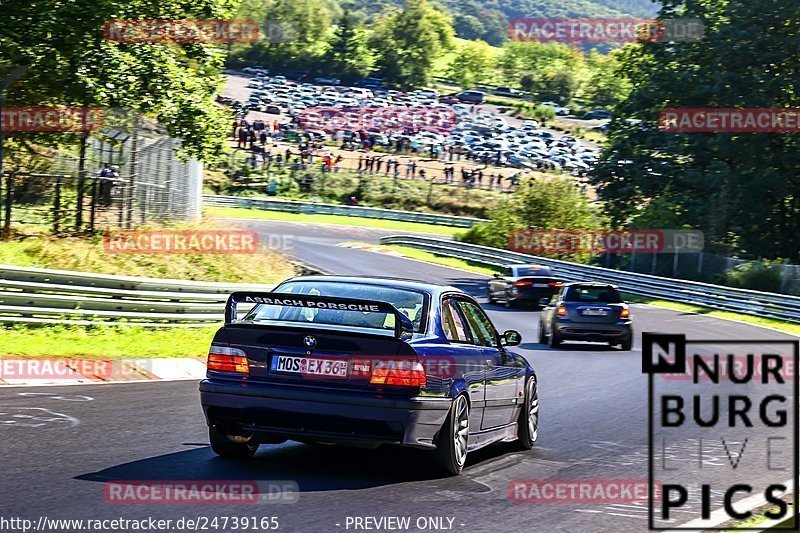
<point x="324" y="415"/>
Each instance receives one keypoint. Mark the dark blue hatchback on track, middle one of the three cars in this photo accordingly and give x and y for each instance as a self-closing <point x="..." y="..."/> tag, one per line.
<point x="586" y="312"/>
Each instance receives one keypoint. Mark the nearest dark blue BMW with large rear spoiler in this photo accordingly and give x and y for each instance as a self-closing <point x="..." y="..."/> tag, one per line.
<point x="366" y="361"/>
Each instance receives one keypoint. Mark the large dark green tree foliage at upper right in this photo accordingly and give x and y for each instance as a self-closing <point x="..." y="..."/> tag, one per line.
<point x="741" y="190"/>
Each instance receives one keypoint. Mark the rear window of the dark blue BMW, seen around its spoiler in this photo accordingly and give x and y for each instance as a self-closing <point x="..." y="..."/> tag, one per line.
<point x="411" y="303"/>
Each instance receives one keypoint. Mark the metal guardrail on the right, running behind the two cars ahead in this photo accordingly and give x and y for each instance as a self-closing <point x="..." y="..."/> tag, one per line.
<point x="762" y="304"/>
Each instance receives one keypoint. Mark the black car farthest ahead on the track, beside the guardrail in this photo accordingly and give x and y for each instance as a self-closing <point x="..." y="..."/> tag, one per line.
<point x="522" y="284"/>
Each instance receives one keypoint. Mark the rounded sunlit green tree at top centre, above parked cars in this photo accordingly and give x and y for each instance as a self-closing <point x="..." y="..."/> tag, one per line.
<point x="409" y="41"/>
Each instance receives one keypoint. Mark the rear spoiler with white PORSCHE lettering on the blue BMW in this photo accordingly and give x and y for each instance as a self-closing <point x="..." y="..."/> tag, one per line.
<point x="403" y="327"/>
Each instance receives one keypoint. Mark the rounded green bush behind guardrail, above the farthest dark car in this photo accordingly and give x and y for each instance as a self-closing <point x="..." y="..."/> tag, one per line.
<point x="554" y="204"/>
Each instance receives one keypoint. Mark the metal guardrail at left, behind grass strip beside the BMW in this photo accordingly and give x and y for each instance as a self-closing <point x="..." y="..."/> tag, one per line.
<point x="41" y="296"/>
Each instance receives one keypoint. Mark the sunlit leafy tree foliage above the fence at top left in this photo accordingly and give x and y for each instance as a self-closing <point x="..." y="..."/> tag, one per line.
<point x="70" y="63"/>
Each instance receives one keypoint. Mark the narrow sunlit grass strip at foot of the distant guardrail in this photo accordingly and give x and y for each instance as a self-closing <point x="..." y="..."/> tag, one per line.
<point x="259" y="214"/>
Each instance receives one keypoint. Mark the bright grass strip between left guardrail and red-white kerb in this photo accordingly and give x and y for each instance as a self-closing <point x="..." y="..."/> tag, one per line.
<point x="108" y="342"/>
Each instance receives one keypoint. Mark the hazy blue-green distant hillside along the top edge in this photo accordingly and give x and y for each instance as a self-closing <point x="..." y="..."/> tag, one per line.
<point x="488" y="19"/>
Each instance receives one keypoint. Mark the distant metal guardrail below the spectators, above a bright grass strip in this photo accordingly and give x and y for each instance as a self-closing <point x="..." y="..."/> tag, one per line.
<point x="291" y="206"/>
